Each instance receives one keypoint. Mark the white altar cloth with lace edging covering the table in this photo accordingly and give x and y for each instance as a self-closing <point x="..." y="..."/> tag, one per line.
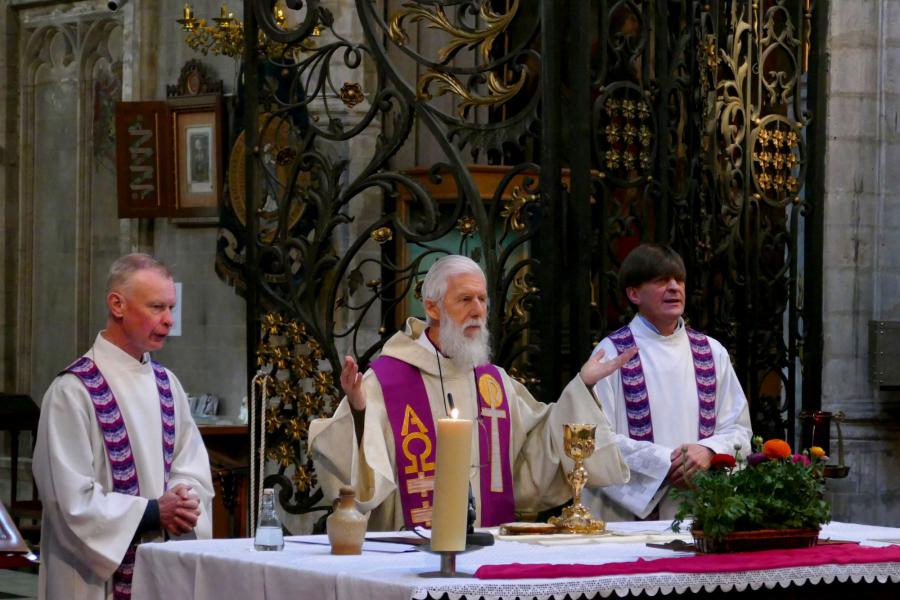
<point x="223" y="569"/>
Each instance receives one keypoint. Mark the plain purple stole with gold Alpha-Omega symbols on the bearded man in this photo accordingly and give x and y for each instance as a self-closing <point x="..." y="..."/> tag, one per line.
<point x="412" y="424"/>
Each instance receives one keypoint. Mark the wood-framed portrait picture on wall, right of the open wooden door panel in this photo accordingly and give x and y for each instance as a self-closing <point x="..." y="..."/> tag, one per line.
<point x="197" y="133"/>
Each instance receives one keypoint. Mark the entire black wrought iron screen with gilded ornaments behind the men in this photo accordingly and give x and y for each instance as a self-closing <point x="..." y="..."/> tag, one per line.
<point x="544" y="139"/>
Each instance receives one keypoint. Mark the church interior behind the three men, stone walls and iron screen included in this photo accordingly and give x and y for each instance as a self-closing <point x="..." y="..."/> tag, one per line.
<point x="545" y="139"/>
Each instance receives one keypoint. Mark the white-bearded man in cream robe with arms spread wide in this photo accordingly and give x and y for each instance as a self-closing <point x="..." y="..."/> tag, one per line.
<point x="381" y="438"/>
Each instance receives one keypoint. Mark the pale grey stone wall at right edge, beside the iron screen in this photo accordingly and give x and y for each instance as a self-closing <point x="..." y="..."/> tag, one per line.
<point x="862" y="253"/>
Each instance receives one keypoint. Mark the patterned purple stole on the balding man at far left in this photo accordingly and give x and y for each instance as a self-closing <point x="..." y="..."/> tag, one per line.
<point x="118" y="447"/>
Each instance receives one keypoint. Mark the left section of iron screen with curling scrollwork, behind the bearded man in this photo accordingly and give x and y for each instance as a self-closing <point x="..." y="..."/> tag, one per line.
<point x="342" y="273"/>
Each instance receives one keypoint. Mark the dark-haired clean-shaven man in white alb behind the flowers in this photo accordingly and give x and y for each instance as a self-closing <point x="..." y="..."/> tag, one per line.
<point x="673" y="404"/>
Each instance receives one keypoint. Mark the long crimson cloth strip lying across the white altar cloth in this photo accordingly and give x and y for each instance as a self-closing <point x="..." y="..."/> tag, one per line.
<point x="840" y="554"/>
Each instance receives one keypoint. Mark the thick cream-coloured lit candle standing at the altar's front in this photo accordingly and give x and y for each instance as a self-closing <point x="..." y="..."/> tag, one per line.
<point x="451" y="484"/>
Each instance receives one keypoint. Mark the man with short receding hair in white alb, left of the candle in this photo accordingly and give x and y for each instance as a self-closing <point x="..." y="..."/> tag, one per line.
<point x="118" y="459"/>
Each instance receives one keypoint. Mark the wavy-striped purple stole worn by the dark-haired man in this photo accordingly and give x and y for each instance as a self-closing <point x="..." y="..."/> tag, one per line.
<point x="634" y="387"/>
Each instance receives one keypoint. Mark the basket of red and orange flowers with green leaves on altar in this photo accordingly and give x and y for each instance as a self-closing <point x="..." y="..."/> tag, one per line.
<point x="773" y="489"/>
